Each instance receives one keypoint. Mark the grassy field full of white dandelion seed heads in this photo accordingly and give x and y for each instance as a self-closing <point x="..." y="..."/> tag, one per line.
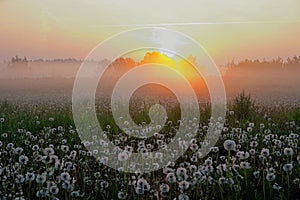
<point x="257" y="157"/>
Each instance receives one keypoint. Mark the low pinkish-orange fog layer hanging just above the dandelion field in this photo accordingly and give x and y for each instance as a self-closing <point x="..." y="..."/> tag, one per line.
<point x="52" y="81"/>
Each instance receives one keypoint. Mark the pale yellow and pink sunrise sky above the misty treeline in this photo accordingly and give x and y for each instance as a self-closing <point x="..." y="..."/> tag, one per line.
<point x="230" y="29"/>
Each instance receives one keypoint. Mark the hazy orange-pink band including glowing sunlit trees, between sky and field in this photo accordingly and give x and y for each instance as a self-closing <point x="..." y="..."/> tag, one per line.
<point x="268" y="81"/>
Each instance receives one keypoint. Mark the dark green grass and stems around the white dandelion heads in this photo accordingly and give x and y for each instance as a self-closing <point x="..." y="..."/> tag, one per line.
<point x="28" y="125"/>
